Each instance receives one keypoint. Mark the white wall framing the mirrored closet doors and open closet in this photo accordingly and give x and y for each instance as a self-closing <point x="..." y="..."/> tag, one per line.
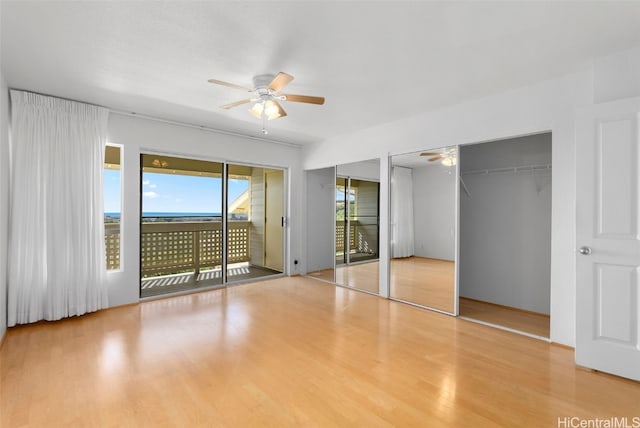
<point x="547" y="106"/>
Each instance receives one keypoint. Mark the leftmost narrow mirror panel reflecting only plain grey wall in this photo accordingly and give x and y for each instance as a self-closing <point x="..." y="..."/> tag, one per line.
<point x="320" y="193"/>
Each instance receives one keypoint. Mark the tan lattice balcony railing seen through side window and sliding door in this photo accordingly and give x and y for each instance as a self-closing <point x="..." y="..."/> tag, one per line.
<point x="173" y="247"/>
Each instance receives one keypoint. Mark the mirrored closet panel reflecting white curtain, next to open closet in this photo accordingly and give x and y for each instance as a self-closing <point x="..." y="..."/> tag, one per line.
<point x="423" y="228"/>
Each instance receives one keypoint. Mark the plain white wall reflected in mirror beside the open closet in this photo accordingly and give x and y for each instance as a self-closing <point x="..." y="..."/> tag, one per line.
<point x="434" y="211"/>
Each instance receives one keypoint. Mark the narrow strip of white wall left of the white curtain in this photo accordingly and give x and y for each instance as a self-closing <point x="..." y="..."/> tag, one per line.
<point x="4" y="200"/>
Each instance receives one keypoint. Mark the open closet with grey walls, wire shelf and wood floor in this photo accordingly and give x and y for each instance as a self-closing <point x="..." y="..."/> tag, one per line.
<point x="505" y="233"/>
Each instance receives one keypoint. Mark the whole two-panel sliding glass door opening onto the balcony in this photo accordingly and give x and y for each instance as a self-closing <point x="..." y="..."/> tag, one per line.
<point x="207" y="223"/>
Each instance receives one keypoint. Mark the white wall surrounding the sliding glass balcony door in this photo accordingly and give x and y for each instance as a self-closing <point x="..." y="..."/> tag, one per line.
<point x="143" y="135"/>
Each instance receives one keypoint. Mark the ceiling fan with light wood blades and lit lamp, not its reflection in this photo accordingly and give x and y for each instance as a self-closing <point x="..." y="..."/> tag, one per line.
<point x="266" y="91"/>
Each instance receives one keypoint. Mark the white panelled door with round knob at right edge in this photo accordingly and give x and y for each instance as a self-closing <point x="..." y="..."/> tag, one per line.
<point x="608" y="238"/>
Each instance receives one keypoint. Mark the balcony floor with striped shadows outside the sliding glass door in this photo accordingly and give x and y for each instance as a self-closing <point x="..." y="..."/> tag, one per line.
<point x="158" y="285"/>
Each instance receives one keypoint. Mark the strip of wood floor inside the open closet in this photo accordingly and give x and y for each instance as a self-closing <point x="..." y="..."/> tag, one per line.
<point x="528" y="322"/>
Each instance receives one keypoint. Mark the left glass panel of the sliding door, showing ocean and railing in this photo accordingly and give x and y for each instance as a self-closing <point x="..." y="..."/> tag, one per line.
<point x="181" y="238"/>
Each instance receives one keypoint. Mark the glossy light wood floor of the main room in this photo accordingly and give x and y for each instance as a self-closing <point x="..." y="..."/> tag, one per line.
<point x="292" y="352"/>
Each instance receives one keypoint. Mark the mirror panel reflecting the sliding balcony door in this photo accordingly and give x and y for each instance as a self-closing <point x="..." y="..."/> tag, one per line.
<point x="357" y="200"/>
